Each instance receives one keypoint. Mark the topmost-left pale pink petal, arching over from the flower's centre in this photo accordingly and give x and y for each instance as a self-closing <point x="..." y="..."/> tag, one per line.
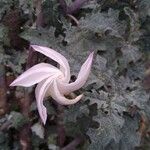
<point x="64" y="66"/>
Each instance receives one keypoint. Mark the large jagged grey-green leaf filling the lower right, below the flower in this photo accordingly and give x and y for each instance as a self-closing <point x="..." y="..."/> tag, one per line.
<point x="114" y="128"/>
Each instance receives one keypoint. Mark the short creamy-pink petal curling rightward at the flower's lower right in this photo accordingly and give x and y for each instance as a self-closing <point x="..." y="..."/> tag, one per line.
<point x="57" y="96"/>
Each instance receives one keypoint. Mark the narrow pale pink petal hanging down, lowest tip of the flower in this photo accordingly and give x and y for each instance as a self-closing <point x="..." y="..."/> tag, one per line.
<point x="40" y="92"/>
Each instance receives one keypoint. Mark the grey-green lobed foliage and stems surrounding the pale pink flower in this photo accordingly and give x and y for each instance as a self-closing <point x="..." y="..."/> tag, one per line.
<point x="115" y="111"/>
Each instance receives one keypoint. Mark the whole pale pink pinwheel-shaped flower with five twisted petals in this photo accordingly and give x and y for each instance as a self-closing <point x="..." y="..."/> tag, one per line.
<point x="53" y="81"/>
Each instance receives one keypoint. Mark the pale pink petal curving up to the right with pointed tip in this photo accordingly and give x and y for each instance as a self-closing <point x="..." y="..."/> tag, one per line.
<point x="81" y="79"/>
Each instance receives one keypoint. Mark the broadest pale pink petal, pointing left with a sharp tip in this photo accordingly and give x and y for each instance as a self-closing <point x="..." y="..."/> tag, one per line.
<point x="35" y="74"/>
